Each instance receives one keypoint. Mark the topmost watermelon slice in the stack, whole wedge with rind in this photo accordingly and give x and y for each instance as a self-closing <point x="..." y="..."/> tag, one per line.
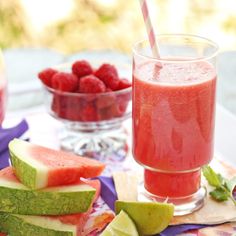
<point x="39" y="167"/>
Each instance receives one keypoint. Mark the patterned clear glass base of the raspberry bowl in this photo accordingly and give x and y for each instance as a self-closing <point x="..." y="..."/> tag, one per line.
<point x="98" y="144"/>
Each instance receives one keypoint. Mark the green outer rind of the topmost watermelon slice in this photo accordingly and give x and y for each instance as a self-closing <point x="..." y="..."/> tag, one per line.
<point x="26" y="173"/>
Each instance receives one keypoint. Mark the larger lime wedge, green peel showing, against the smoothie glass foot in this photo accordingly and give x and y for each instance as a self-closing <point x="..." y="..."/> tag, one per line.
<point x="149" y="217"/>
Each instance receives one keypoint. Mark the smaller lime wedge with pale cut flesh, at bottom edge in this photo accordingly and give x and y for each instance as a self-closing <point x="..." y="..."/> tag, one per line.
<point x="121" y="225"/>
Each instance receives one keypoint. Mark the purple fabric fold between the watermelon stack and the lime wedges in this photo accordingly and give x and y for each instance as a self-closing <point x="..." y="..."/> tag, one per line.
<point x="108" y="192"/>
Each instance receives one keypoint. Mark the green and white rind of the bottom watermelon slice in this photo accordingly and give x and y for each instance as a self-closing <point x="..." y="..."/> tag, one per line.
<point x="22" y="225"/>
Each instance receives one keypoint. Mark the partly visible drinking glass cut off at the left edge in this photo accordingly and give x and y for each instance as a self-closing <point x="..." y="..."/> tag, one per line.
<point x="2" y="89"/>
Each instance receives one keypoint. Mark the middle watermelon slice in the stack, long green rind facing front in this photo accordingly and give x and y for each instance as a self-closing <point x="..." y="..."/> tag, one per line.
<point x="17" y="198"/>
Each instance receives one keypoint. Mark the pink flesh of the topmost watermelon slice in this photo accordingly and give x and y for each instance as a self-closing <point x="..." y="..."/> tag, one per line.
<point x="65" y="168"/>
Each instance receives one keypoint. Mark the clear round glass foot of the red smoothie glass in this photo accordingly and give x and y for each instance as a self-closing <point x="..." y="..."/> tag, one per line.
<point x="183" y="205"/>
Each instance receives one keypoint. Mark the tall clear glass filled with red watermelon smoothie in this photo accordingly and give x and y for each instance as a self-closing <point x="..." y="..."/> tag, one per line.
<point x="173" y="118"/>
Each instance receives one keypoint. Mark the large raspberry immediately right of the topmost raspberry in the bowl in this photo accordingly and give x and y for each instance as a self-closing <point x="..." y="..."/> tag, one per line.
<point x="109" y="75"/>
